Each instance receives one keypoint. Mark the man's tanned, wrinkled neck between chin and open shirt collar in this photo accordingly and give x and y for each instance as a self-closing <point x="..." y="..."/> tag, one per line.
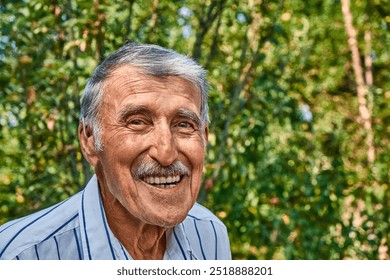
<point x="142" y="241"/>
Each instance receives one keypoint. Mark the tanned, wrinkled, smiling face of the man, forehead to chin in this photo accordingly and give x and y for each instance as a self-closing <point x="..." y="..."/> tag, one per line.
<point x="148" y="120"/>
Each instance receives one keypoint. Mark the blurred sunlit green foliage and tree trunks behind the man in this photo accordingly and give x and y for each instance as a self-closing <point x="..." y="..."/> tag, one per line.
<point x="298" y="157"/>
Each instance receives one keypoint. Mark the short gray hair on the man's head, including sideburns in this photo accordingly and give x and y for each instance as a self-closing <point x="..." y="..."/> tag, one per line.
<point x="154" y="61"/>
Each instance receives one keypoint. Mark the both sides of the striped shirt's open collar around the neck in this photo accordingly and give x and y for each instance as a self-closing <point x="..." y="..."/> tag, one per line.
<point x="99" y="242"/>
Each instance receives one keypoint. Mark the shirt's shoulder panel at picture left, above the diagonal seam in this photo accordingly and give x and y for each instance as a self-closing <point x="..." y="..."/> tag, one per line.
<point x="23" y="233"/>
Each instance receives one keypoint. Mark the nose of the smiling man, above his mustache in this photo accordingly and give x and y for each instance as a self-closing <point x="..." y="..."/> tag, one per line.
<point x="164" y="149"/>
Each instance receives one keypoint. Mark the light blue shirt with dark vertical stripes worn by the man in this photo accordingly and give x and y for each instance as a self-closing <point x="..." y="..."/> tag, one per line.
<point x="77" y="229"/>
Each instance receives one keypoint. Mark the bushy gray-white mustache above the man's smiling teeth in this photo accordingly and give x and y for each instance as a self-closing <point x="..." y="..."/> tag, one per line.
<point x="155" y="169"/>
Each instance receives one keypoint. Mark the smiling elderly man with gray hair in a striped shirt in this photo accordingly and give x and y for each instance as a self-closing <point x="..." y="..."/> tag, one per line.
<point x="144" y="128"/>
